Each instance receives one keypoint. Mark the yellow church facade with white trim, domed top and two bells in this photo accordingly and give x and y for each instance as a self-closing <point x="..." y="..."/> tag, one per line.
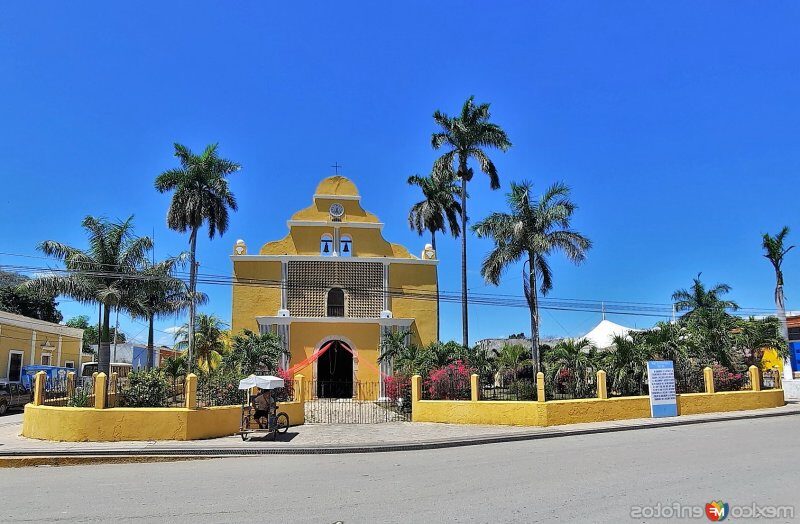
<point x="332" y="288"/>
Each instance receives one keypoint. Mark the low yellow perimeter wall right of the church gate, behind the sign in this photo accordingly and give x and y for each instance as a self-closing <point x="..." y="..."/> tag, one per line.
<point x="558" y="412"/>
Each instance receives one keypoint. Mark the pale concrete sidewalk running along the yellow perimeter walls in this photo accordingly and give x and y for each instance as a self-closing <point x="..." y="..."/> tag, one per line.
<point x="348" y="438"/>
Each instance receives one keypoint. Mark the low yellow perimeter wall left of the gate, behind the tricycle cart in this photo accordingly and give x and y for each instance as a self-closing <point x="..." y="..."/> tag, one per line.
<point x="118" y="424"/>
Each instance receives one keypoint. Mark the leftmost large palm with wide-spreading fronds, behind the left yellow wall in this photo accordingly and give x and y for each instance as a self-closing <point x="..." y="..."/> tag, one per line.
<point x="101" y="274"/>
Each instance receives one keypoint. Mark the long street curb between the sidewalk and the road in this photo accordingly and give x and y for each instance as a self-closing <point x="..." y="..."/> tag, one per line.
<point x="22" y="458"/>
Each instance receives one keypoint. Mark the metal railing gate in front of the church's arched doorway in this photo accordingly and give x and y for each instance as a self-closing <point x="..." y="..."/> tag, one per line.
<point x="345" y="402"/>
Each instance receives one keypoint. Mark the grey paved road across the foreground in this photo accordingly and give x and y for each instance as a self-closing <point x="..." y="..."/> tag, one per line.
<point x="589" y="478"/>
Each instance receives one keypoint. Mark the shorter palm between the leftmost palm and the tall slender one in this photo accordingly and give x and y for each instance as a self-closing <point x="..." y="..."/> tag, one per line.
<point x="160" y="293"/>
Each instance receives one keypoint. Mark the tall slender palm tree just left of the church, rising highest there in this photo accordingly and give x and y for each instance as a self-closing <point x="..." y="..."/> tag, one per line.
<point x="201" y="194"/>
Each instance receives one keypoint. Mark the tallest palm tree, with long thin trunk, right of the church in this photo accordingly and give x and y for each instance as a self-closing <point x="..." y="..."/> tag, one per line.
<point x="467" y="136"/>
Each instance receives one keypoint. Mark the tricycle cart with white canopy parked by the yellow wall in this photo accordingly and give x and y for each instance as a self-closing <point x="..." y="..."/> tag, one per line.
<point x="259" y="412"/>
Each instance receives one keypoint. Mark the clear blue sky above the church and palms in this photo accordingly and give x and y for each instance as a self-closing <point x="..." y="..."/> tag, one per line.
<point x="675" y="123"/>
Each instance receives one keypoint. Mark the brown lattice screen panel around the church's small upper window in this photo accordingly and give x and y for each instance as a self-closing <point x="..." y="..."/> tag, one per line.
<point x="309" y="281"/>
